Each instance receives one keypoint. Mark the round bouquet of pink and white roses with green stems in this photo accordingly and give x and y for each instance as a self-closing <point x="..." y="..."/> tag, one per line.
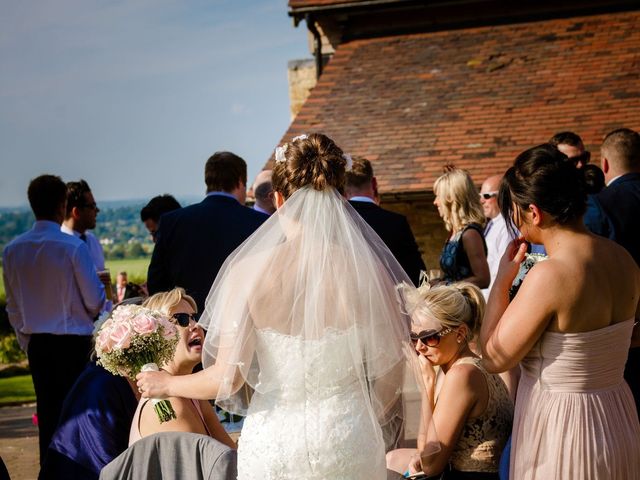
<point x="136" y="339"/>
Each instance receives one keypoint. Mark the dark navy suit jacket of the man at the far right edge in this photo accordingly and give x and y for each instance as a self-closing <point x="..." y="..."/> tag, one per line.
<point x="614" y="213"/>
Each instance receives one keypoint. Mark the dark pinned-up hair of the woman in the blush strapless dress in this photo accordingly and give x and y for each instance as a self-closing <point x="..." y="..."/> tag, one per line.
<point x="544" y="177"/>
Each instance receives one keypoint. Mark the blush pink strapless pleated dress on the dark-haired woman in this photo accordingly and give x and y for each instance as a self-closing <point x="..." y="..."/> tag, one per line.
<point x="575" y="417"/>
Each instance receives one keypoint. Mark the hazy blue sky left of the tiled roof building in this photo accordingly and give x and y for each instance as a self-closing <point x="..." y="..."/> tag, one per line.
<point x="135" y="95"/>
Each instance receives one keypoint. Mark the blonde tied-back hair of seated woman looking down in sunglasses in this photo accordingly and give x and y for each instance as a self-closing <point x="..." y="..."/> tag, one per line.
<point x="453" y="305"/>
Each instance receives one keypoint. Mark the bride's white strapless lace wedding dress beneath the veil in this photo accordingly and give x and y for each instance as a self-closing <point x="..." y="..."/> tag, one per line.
<point x="311" y="418"/>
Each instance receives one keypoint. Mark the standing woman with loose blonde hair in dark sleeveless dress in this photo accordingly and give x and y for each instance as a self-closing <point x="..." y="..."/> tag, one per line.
<point x="464" y="256"/>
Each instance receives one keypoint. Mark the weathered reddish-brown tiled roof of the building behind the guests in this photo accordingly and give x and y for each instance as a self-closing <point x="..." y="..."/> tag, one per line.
<point x="476" y="97"/>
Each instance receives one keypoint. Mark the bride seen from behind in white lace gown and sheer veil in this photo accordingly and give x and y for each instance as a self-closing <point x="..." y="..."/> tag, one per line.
<point x="307" y="314"/>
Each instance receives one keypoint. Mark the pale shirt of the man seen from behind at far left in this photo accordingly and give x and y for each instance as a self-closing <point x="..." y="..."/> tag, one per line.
<point x="51" y="283"/>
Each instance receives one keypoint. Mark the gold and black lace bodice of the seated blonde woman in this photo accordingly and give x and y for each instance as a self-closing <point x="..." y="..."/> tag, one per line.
<point x="483" y="438"/>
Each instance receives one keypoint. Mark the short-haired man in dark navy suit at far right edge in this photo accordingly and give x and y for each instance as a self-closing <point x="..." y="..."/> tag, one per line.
<point x="613" y="213"/>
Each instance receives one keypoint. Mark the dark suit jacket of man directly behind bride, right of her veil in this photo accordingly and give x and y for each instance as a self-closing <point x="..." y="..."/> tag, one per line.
<point x="395" y="232"/>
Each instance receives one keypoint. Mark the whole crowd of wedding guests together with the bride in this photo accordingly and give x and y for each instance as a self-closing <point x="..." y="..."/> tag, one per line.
<point x="316" y="311"/>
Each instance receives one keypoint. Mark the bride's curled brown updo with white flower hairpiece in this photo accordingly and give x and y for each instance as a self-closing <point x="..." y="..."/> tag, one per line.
<point x="314" y="160"/>
